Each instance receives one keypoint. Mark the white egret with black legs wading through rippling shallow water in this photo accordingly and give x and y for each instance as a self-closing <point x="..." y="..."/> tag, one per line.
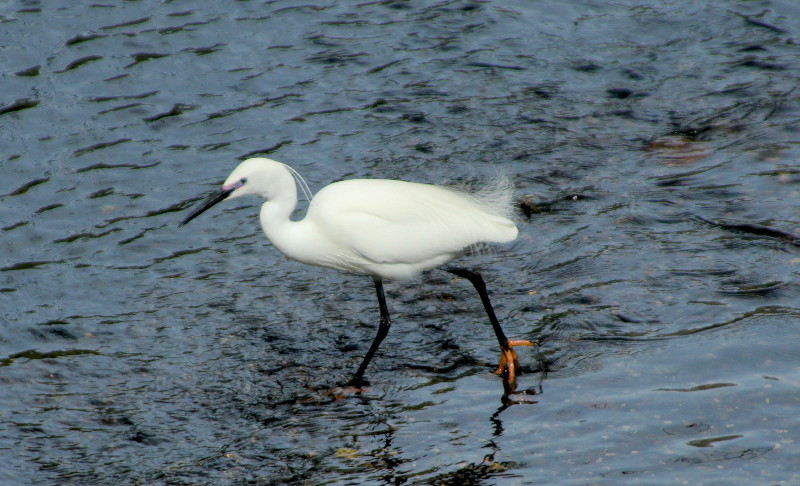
<point x="382" y="228"/>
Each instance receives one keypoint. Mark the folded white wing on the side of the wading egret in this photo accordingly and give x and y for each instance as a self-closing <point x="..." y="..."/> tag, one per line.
<point x="388" y="221"/>
